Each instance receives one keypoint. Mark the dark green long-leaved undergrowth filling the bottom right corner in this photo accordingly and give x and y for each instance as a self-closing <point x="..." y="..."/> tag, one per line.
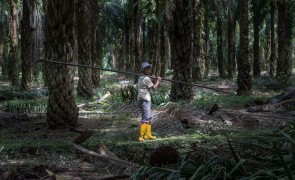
<point x="271" y="159"/>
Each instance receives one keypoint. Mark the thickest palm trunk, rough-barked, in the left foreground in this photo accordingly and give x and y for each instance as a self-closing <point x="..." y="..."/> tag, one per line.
<point x="59" y="46"/>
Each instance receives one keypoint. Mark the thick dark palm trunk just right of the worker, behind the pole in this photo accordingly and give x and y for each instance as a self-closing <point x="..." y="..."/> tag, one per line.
<point x="181" y="50"/>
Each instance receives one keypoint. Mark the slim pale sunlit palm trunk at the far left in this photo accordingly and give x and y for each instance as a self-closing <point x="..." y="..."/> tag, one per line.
<point x="13" y="30"/>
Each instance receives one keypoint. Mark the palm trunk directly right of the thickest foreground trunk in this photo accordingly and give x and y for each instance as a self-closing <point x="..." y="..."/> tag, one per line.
<point x="84" y="47"/>
